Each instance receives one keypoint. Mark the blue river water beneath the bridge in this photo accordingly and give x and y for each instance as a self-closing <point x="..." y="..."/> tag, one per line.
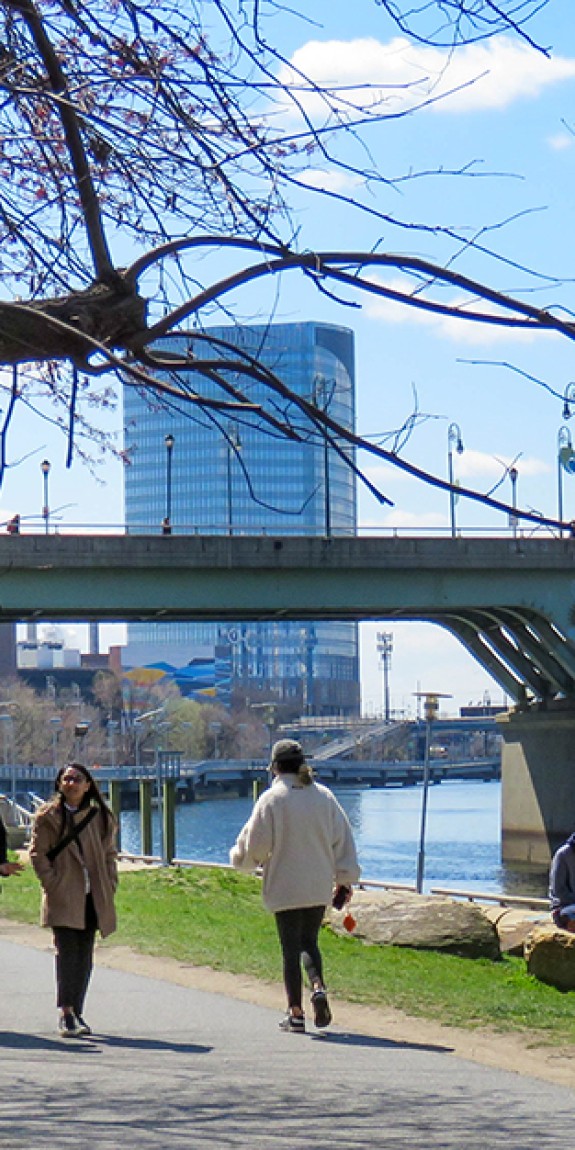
<point x="463" y="835"/>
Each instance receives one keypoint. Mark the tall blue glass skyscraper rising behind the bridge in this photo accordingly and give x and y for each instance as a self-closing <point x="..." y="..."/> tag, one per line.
<point x="235" y="473"/>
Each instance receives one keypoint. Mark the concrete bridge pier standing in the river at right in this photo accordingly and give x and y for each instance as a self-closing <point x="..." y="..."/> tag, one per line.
<point x="538" y="783"/>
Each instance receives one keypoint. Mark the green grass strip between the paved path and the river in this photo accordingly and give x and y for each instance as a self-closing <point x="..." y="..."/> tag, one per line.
<point x="216" y="918"/>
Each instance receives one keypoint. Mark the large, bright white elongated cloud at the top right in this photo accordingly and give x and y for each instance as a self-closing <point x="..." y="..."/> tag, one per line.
<point x="401" y="75"/>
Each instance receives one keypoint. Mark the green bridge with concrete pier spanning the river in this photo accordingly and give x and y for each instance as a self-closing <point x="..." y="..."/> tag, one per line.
<point x="509" y="601"/>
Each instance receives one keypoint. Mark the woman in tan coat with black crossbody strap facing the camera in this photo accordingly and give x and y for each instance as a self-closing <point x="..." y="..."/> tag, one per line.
<point x="74" y="854"/>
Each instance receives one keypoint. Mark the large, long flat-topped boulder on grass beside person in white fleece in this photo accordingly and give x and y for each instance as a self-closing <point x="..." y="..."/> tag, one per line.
<point x="423" y="922"/>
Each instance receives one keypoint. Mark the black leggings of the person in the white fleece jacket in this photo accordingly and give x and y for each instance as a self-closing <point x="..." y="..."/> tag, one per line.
<point x="298" y="932"/>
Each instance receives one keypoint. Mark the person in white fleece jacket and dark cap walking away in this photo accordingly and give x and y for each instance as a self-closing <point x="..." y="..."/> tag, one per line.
<point x="301" y="835"/>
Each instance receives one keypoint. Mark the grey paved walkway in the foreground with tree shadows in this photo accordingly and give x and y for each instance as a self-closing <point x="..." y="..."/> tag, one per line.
<point x="174" y="1068"/>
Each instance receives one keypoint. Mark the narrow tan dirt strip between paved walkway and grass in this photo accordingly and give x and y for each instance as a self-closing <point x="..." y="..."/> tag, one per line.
<point x="507" y="1052"/>
